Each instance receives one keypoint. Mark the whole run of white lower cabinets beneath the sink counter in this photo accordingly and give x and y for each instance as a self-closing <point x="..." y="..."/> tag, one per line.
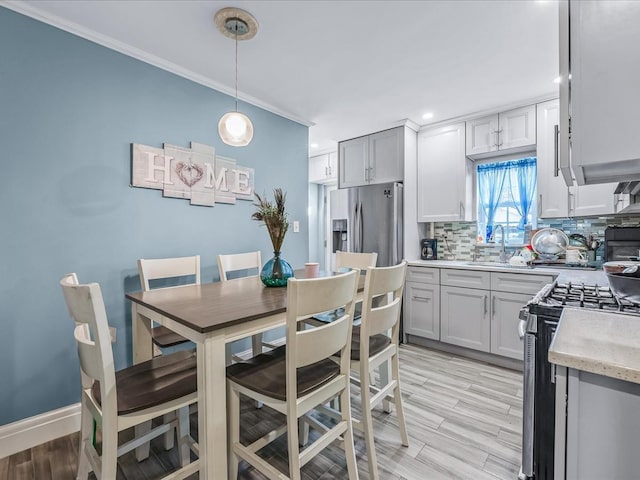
<point x="474" y="309"/>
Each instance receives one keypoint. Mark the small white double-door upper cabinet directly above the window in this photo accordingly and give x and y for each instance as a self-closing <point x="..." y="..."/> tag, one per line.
<point x="514" y="129"/>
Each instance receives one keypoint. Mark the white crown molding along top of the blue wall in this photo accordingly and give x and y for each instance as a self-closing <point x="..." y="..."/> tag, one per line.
<point x="121" y="47"/>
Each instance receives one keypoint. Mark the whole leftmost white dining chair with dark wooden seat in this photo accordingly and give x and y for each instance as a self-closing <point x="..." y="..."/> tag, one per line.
<point x="120" y="400"/>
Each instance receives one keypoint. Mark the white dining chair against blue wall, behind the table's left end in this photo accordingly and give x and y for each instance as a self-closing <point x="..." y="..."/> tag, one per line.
<point x="186" y="269"/>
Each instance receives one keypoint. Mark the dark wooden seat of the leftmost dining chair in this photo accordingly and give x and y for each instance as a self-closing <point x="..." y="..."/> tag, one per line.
<point x="157" y="381"/>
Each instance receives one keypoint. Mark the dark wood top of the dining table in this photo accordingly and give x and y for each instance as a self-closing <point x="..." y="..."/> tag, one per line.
<point x="212" y="306"/>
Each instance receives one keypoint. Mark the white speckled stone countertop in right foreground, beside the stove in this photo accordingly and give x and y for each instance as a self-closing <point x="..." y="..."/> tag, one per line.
<point x="598" y="342"/>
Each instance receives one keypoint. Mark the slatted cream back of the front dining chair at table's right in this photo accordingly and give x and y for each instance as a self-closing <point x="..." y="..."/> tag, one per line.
<point x="312" y="296"/>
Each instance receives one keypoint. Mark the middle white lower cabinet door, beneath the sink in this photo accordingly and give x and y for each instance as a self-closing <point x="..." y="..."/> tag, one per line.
<point x="465" y="317"/>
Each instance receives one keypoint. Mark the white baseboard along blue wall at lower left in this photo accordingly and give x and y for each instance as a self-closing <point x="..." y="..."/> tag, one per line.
<point x="29" y="432"/>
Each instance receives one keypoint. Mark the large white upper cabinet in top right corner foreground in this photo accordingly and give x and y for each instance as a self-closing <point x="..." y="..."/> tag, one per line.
<point x="602" y="40"/>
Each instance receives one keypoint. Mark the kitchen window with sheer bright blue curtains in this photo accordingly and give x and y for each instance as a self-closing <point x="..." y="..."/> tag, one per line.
<point x="506" y="196"/>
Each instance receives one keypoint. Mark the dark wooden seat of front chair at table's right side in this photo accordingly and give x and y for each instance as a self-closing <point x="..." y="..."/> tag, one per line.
<point x="266" y="374"/>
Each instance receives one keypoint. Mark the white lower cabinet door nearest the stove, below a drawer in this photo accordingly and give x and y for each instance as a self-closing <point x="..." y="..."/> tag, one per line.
<point x="505" y="310"/>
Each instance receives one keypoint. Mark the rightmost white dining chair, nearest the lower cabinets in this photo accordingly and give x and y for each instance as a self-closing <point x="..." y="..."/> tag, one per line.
<point x="374" y="342"/>
